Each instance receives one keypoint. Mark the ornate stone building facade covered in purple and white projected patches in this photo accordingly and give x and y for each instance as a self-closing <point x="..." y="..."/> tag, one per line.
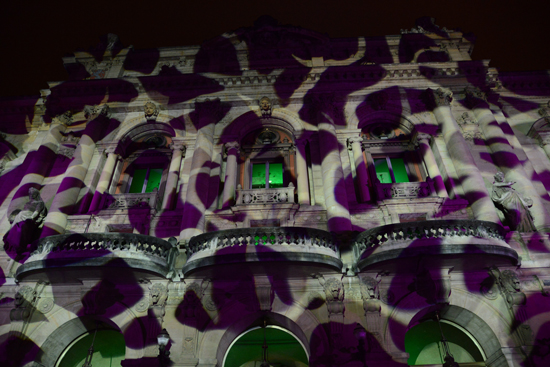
<point x="277" y="197"/>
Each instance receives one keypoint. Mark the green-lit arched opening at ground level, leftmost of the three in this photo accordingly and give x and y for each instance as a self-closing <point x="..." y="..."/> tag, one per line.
<point x="108" y="345"/>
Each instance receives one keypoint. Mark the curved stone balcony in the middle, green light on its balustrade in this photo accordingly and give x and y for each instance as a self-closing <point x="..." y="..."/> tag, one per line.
<point x="263" y="246"/>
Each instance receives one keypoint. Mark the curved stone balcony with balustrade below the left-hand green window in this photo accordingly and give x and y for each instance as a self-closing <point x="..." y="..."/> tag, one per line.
<point x="78" y="254"/>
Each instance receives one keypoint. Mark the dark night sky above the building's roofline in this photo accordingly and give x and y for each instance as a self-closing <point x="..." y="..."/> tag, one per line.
<point x="36" y="34"/>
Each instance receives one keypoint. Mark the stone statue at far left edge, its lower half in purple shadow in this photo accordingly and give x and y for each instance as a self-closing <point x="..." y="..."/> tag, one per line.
<point x="25" y="224"/>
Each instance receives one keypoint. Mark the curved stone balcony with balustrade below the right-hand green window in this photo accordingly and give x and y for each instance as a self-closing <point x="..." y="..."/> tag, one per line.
<point x="462" y="240"/>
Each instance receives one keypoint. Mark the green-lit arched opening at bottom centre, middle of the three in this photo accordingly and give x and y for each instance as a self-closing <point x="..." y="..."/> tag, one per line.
<point x="283" y="349"/>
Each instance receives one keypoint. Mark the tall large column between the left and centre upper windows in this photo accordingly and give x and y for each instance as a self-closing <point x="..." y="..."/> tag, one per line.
<point x="207" y="115"/>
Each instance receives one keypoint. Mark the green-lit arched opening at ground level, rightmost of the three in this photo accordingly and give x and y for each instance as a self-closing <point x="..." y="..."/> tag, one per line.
<point x="425" y="347"/>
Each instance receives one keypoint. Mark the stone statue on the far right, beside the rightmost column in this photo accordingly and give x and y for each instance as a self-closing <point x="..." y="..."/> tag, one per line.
<point x="514" y="208"/>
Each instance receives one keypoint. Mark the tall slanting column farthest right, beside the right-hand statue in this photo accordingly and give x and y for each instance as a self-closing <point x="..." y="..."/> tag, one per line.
<point x="505" y="157"/>
